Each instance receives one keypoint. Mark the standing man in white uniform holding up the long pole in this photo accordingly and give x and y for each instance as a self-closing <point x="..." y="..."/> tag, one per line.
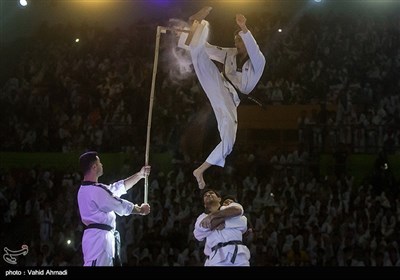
<point x="98" y="204"/>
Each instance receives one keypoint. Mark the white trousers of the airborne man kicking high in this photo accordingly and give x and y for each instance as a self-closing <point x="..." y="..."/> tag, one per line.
<point x="221" y="100"/>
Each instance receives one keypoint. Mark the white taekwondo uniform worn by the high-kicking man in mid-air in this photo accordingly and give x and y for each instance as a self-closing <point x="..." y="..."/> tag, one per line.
<point x="223" y="94"/>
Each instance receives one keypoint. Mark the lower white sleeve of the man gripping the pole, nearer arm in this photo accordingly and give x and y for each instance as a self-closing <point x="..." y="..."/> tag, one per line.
<point x="107" y="202"/>
